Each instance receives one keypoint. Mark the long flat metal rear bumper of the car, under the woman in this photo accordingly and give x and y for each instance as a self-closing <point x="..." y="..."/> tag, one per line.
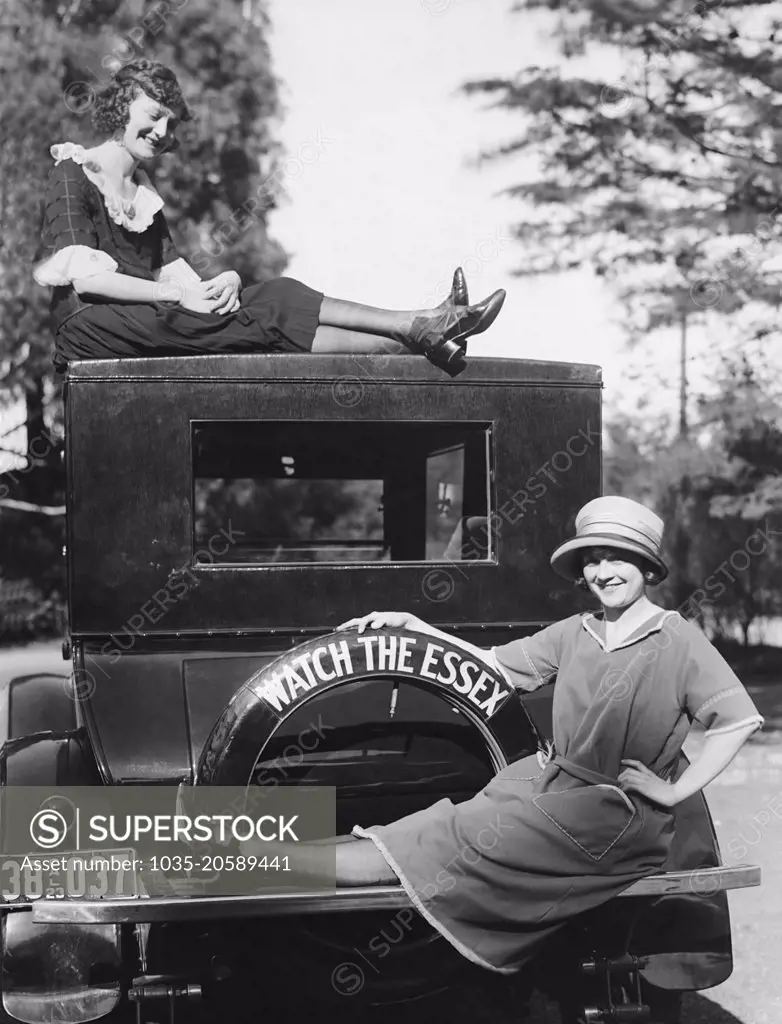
<point x="704" y="883"/>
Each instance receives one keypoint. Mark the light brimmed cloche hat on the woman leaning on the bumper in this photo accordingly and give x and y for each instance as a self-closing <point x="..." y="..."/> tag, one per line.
<point x="613" y="523"/>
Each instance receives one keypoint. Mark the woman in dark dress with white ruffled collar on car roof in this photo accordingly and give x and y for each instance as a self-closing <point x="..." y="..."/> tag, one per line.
<point x="122" y="290"/>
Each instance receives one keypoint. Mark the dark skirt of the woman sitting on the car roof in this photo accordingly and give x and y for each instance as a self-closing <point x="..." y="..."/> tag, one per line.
<point x="280" y="316"/>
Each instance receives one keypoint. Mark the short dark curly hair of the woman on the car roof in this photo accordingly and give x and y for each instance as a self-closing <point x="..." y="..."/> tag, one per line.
<point x="110" y="112"/>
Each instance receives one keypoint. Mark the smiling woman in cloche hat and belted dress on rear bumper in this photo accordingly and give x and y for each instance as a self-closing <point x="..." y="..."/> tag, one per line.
<point x="552" y="837"/>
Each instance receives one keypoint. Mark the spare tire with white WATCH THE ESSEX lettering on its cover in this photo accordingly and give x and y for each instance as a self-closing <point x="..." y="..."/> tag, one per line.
<point x="414" y="962"/>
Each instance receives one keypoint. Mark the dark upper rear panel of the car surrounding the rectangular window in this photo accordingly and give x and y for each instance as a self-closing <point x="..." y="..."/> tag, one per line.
<point x="135" y="435"/>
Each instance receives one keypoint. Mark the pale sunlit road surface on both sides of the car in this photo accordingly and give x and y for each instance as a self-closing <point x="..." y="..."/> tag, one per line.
<point x="747" y="803"/>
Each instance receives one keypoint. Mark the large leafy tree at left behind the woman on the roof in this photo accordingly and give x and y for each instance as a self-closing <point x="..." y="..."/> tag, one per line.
<point x="55" y="56"/>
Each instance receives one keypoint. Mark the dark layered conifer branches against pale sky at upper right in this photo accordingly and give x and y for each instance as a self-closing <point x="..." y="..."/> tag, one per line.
<point x="663" y="158"/>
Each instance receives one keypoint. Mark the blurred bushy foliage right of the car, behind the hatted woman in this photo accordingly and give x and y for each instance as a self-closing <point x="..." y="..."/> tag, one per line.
<point x="719" y="493"/>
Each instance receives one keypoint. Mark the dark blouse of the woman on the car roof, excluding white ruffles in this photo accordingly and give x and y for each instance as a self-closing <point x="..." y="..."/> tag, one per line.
<point x="76" y="216"/>
